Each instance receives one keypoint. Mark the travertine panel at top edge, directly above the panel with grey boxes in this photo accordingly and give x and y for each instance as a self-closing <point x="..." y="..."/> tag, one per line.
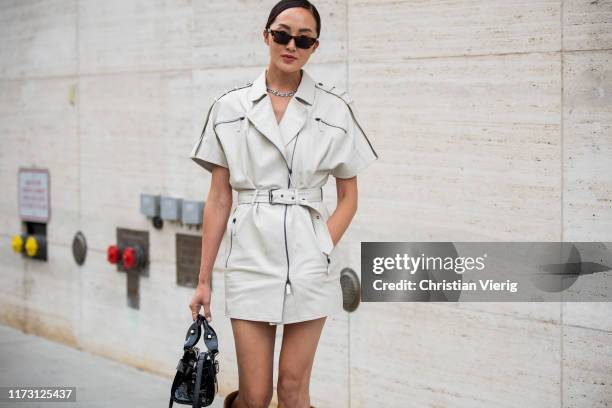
<point x="134" y="36"/>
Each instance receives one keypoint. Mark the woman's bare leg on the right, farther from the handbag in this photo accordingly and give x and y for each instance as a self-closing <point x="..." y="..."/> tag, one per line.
<point x="298" y="349"/>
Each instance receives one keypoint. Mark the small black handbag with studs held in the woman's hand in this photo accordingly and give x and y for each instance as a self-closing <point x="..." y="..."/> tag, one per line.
<point x="195" y="382"/>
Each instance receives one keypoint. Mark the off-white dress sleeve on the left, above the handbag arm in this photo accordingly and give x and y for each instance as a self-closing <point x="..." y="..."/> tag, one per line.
<point x="208" y="149"/>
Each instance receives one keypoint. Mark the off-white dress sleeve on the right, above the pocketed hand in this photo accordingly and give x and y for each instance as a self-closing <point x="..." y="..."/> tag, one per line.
<point x="357" y="152"/>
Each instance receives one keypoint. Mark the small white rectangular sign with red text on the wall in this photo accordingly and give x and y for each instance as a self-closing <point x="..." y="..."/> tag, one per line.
<point x="33" y="194"/>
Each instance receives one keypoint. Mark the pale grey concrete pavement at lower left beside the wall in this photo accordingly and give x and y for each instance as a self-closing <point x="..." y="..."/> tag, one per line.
<point x="27" y="360"/>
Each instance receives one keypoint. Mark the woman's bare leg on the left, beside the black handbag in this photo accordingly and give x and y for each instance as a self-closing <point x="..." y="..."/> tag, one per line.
<point x="254" y="343"/>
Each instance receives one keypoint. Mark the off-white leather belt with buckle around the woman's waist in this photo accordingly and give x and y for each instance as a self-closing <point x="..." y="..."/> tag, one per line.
<point x="294" y="196"/>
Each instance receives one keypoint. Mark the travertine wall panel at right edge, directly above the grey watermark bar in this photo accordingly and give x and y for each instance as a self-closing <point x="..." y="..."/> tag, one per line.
<point x="587" y="146"/>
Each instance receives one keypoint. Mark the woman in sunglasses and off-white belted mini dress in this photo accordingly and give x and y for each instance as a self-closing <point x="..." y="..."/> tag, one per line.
<point x="276" y="141"/>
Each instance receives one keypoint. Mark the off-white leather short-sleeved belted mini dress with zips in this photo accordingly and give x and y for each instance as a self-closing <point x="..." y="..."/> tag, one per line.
<point x="278" y="245"/>
